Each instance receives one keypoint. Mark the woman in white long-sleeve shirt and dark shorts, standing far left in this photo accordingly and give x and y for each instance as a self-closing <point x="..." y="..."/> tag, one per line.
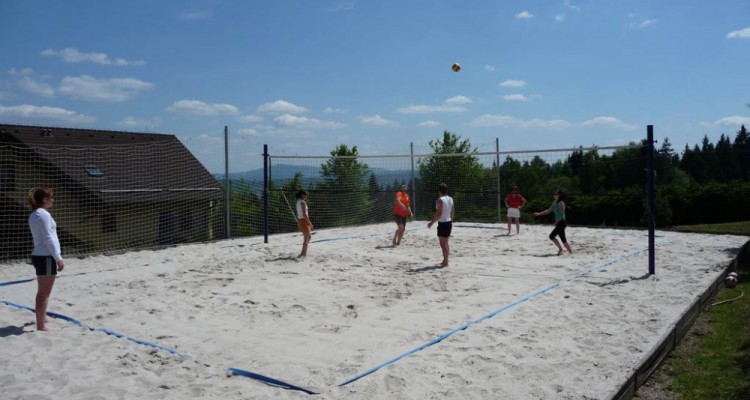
<point x="46" y="256"/>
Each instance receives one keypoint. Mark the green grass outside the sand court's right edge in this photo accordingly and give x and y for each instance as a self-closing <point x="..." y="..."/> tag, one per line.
<point x="712" y="362"/>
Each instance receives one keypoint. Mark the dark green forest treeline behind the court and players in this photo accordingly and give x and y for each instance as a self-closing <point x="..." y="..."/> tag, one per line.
<point x="706" y="183"/>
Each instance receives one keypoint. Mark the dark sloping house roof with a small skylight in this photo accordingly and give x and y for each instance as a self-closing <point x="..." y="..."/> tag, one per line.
<point x="118" y="166"/>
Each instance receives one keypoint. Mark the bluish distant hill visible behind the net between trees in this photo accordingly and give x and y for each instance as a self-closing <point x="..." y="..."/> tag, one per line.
<point x="282" y="173"/>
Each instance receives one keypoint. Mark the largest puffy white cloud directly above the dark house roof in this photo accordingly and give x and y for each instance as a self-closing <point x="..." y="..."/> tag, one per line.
<point x="111" y="90"/>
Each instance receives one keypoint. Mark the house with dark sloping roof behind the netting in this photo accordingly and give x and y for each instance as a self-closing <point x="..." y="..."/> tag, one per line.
<point x="113" y="190"/>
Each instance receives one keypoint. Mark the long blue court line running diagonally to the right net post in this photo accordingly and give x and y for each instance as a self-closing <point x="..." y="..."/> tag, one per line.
<point x="488" y="316"/>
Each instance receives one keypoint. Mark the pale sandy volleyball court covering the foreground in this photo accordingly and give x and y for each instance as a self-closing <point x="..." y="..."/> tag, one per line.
<point x="516" y="321"/>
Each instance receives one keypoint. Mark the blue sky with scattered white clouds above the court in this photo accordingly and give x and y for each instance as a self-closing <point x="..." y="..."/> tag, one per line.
<point x="304" y="76"/>
